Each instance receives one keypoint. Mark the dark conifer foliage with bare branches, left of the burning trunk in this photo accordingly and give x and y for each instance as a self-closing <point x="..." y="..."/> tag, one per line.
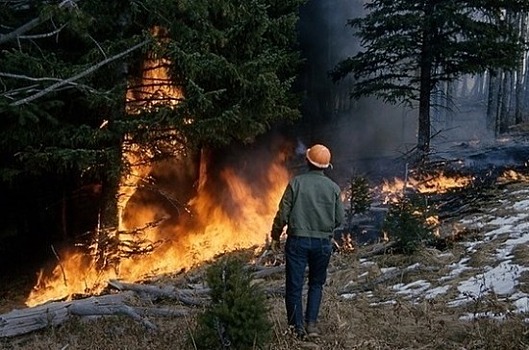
<point x="60" y="131"/>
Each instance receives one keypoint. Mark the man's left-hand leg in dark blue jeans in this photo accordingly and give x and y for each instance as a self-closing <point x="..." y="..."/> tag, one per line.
<point x="296" y="255"/>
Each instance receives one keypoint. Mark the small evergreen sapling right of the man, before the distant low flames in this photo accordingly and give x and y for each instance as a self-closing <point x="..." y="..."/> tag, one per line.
<point x="407" y="223"/>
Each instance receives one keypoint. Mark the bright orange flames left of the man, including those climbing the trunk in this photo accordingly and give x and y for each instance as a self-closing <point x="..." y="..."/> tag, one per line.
<point x="212" y="227"/>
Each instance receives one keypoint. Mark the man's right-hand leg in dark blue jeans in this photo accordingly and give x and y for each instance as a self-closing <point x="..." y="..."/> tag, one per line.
<point x="318" y="262"/>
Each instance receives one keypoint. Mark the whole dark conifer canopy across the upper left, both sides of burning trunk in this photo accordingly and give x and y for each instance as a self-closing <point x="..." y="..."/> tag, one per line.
<point x="66" y="68"/>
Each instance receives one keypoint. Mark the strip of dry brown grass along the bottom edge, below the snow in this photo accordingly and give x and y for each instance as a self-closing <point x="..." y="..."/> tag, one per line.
<point x="346" y="325"/>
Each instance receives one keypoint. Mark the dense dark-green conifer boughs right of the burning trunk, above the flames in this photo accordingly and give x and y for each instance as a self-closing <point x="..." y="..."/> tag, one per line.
<point x="236" y="62"/>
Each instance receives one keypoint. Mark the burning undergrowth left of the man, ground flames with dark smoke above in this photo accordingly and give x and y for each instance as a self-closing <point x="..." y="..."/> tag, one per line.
<point x="232" y="208"/>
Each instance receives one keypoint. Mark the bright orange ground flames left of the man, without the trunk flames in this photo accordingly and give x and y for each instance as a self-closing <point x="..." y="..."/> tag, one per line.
<point x="212" y="229"/>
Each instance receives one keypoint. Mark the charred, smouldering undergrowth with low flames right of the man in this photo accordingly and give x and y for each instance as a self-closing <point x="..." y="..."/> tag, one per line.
<point x="433" y="193"/>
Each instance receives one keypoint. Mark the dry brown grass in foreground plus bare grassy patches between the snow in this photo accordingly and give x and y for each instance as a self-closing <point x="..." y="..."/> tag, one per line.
<point x="376" y="322"/>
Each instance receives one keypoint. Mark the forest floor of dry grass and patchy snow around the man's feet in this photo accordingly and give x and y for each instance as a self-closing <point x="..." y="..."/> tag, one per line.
<point x="474" y="294"/>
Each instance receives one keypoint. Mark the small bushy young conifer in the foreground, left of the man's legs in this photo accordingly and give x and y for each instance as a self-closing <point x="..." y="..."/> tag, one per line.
<point x="237" y="315"/>
